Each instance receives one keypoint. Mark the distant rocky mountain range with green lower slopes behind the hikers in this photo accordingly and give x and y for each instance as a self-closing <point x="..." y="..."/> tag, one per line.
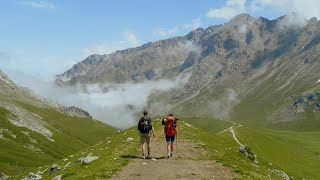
<point x="247" y="68"/>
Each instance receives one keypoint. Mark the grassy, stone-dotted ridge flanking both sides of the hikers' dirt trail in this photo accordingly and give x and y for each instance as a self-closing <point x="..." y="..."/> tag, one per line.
<point x="115" y="152"/>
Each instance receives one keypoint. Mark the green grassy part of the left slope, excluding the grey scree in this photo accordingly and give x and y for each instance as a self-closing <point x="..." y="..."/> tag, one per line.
<point x="23" y="149"/>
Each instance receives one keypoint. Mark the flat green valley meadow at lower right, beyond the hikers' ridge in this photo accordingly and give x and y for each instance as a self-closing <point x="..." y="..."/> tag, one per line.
<point x="296" y="153"/>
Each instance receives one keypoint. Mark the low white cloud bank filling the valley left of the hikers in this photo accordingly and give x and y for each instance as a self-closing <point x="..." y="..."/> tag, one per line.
<point x="117" y="106"/>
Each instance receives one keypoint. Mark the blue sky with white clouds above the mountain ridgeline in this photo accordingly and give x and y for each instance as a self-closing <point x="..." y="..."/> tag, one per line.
<point x="44" y="38"/>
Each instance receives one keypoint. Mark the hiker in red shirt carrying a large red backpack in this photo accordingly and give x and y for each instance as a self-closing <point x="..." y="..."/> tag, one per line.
<point x="170" y="124"/>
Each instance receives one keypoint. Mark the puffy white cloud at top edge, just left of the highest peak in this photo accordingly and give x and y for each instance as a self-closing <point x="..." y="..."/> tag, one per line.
<point x="229" y="10"/>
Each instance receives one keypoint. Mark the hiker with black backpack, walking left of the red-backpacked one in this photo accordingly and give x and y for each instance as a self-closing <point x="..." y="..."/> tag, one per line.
<point x="145" y="126"/>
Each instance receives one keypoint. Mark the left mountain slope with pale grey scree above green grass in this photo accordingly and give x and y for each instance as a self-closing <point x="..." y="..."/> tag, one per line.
<point x="34" y="132"/>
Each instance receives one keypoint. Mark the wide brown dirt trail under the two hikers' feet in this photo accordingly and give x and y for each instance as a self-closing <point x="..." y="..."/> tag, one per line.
<point x="184" y="164"/>
